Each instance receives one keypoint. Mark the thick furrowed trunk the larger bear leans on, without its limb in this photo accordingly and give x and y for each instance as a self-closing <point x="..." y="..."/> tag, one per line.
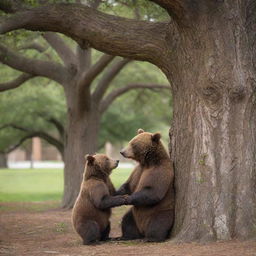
<point x="214" y="129"/>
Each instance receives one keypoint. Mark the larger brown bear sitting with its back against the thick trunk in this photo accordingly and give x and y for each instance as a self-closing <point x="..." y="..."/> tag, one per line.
<point x="151" y="190"/>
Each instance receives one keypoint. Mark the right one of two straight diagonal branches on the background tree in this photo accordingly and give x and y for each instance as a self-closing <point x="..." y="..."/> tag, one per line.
<point x="107" y="79"/>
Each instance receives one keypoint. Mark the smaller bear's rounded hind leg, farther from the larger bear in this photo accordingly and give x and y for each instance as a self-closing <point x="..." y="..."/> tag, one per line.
<point x="90" y="232"/>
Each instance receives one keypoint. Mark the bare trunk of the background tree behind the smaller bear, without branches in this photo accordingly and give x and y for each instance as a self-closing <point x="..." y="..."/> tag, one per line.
<point x="82" y="135"/>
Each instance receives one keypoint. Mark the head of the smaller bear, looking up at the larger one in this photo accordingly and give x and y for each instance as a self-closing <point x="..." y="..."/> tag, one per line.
<point x="99" y="165"/>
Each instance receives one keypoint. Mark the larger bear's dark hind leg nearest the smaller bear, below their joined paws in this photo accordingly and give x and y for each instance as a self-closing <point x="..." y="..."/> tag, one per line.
<point x="129" y="227"/>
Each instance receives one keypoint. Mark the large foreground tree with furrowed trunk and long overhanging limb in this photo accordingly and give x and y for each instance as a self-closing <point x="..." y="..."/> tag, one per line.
<point x="207" y="51"/>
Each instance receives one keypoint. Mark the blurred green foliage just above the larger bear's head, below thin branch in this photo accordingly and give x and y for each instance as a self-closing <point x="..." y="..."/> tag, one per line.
<point x="120" y="123"/>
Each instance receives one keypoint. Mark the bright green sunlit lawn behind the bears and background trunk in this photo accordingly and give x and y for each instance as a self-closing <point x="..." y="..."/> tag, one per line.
<point x="29" y="185"/>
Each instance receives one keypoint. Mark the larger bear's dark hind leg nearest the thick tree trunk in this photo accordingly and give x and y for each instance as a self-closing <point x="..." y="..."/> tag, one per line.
<point x="159" y="227"/>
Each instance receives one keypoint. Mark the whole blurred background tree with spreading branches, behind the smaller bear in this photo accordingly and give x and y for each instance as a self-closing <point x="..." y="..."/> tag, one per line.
<point x="85" y="83"/>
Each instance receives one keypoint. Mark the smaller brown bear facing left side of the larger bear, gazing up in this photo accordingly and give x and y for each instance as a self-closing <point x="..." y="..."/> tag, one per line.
<point x="92" y="211"/>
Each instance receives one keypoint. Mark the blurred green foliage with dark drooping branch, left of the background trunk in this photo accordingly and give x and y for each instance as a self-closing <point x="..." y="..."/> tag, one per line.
<point x="36" y="110"/>
